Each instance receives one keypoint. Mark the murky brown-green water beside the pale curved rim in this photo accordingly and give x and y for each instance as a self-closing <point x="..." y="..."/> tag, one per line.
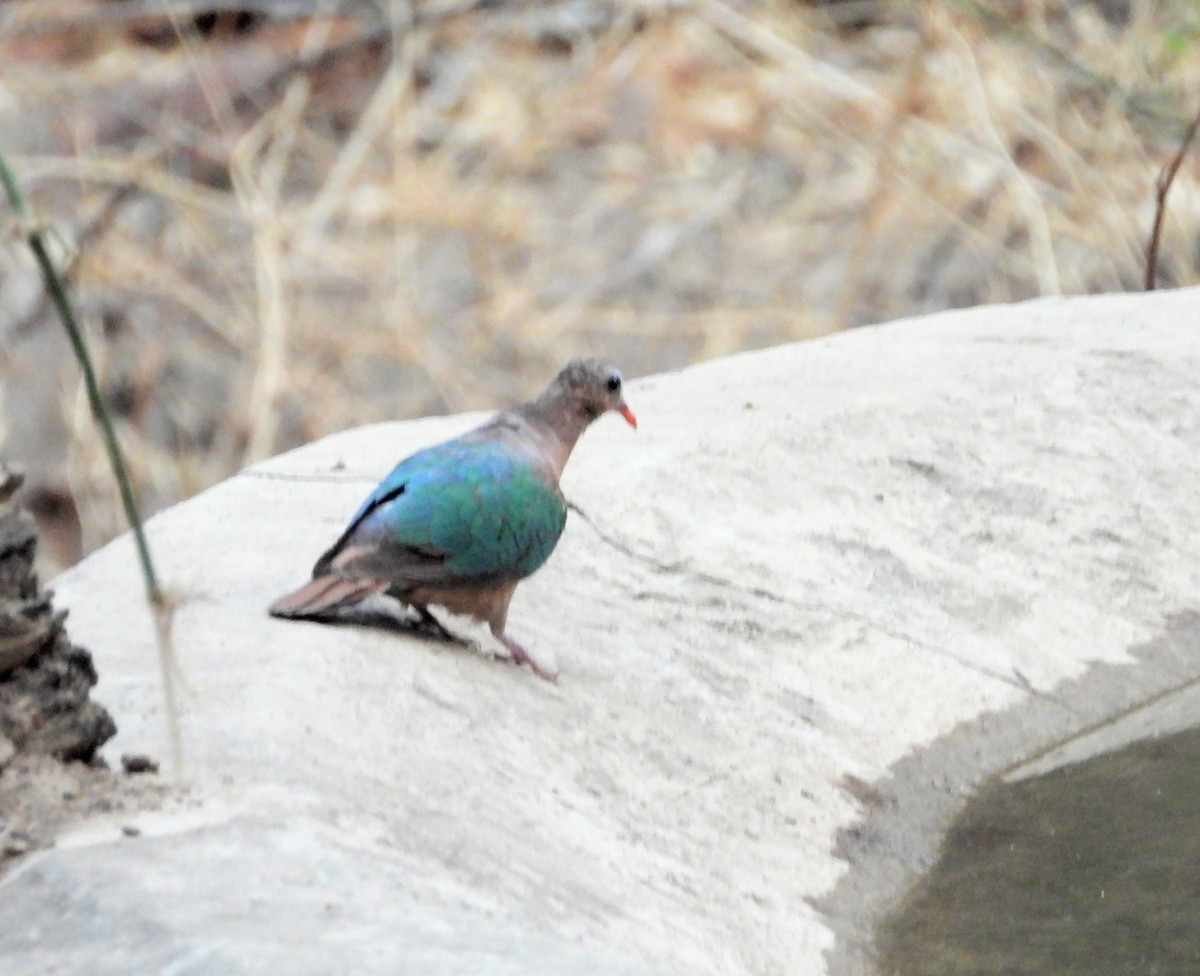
<point x="1091" y="870"/>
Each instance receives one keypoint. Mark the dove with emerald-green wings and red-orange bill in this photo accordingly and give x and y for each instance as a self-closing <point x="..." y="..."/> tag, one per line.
<point x="460" y="524"/>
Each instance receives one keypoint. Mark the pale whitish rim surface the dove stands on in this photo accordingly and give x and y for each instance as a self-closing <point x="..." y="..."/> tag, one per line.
<point x="839" y="584"/>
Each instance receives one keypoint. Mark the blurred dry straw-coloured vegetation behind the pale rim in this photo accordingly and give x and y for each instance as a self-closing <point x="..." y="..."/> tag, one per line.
<point x="287" y="218"/>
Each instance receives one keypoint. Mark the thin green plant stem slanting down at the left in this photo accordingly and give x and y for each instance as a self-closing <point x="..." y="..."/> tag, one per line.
<point x="63" y="304"/>
